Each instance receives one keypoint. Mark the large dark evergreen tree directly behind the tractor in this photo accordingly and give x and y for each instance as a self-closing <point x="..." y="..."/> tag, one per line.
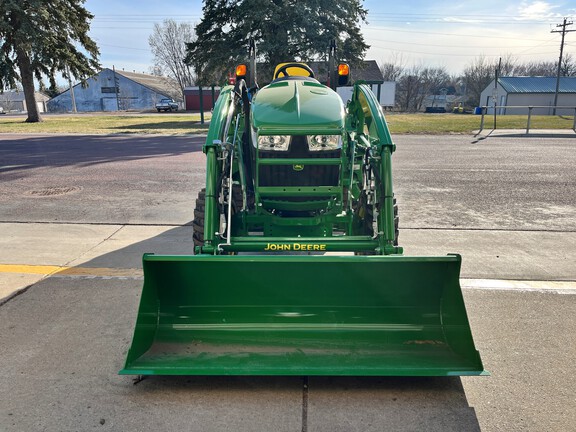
<point x="284" y="30"/>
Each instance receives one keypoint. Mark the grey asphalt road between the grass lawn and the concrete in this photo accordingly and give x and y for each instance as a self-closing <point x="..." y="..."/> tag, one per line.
<point x="451" y="182"/>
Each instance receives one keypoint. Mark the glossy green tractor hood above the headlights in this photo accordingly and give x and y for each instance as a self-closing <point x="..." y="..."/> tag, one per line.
<point x="297" y="107"/>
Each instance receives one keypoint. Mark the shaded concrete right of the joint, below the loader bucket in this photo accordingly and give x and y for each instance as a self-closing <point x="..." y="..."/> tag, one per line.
<point x="390" y="403"/>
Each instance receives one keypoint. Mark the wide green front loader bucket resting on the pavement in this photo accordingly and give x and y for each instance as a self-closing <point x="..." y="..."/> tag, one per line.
<point x="302" y="315"/>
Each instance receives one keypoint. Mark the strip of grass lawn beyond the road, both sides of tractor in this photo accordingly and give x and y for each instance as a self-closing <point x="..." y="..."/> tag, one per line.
<point x="175" y="124"/>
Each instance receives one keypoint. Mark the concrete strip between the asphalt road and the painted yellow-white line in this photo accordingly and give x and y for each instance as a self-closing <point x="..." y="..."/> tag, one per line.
<point x="74" y="249"/>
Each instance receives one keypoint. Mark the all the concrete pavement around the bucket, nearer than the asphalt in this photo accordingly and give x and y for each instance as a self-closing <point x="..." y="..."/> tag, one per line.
<point x="59" y="368"/>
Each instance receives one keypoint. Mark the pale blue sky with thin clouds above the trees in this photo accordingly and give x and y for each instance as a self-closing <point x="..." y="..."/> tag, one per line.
<point x="436" y="33"/>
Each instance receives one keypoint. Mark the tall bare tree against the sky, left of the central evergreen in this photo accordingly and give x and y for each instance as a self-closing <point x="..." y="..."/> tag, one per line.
<point x="168" y="44"/>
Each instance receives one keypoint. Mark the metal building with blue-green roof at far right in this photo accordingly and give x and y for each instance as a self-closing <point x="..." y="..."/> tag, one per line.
<point x="530" y="91"/>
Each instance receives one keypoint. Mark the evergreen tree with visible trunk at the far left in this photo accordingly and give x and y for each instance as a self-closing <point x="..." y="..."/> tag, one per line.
<point x="44" y="37"/>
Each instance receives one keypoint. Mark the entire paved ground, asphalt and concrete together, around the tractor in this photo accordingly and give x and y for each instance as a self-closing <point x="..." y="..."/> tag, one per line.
<point x="94" y="204"/>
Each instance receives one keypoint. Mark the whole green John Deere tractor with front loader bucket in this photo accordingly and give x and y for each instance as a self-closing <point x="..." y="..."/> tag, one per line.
<point x="297" y="268"/>
